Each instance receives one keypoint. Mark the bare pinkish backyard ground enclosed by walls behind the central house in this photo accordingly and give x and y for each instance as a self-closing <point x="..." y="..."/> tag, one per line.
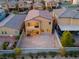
<point x="39" y="41"/>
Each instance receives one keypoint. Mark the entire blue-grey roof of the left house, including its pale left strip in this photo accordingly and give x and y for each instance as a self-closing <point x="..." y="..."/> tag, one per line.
<point x="13" y="21"/>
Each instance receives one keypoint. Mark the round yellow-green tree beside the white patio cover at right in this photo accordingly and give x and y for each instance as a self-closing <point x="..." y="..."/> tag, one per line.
<point x="67" y="40"/>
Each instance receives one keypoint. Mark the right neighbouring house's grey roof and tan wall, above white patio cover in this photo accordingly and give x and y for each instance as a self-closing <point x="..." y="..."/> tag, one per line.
<point x="69" y="17"/>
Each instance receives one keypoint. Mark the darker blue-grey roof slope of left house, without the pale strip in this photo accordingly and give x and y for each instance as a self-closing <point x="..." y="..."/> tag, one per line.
<point x="16" y="22"/>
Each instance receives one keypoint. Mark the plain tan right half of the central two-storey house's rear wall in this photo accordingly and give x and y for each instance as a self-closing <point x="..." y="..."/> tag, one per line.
<point x="45" y="24"/>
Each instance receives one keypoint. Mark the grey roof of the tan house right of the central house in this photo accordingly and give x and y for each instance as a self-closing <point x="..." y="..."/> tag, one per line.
<point x="70" y="14"/>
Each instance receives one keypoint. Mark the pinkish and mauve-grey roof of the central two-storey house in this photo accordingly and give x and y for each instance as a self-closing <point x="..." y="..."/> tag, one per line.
<point x="35" y="13"/>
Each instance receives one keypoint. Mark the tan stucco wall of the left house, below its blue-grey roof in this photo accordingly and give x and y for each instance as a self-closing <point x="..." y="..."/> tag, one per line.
<point x="9" y="31"/>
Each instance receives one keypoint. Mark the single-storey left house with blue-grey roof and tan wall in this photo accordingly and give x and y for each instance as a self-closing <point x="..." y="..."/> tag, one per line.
<point x="12" y="26"/>
